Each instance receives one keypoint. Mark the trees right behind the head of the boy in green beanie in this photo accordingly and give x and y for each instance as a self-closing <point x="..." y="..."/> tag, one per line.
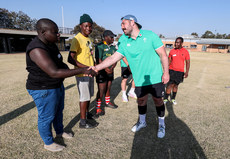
<point x="96" y="34"/>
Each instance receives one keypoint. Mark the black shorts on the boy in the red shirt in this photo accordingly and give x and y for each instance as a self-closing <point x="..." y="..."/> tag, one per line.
<point x="176" y="77"/>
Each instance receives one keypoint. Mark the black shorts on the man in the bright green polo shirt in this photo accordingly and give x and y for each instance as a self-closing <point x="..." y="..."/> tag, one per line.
<point x="156" y="90"/>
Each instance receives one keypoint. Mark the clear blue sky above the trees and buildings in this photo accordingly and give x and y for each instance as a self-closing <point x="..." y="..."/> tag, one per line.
<point x="167" y="17"/>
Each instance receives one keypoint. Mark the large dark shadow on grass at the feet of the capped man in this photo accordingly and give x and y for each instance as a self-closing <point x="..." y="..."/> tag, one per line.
<point x="178" y="143"/>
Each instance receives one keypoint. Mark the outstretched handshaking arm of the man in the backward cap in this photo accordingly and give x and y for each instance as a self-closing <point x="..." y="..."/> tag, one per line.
<point x="109" y="61"/>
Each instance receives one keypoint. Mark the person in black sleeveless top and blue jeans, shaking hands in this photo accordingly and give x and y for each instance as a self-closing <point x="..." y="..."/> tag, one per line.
<point x="45" y="81"/>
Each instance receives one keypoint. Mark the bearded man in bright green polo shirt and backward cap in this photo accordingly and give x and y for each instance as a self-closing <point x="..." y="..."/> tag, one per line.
<point x="146" y="56"/>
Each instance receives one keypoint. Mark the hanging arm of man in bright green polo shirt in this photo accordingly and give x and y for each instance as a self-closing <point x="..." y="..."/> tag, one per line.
<point x="164" y="60"/>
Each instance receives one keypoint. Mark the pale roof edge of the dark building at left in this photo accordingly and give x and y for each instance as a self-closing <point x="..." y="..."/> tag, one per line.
<point x="24" y="32"/>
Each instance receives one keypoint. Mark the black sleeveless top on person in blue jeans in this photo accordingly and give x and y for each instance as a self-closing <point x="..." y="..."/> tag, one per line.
<point x="37" y="78"/>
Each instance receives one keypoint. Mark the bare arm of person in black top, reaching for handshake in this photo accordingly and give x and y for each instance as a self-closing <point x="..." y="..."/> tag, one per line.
<point x="42" y="59"/>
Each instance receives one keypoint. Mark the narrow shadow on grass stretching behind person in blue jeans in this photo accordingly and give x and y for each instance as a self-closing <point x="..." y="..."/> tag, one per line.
<point x="21" y="110"/>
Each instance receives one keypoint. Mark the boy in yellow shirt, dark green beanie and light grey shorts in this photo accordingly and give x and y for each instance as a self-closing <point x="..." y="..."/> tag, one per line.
<point x="81" y="56"/>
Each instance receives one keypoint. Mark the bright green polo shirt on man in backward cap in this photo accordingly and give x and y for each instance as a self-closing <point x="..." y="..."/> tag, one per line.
<point x="143" y="60"/>
